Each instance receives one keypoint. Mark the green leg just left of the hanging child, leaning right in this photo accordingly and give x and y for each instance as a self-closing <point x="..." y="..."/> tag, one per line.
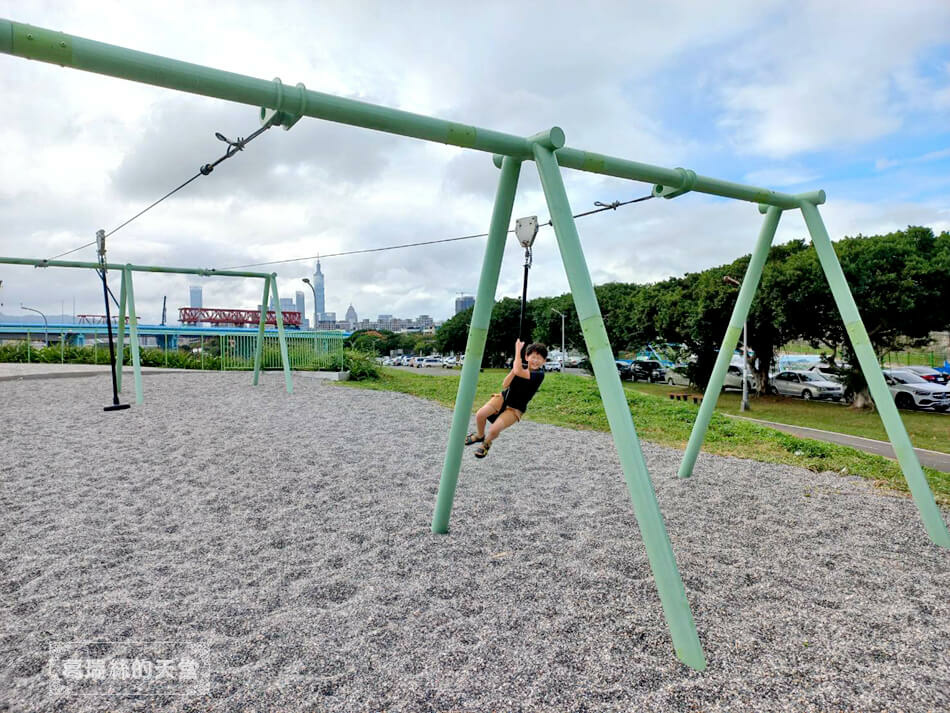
<point x="477" y="334"/>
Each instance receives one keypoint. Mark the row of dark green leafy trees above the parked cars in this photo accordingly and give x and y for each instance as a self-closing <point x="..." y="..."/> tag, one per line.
<point x="900" y="281"/>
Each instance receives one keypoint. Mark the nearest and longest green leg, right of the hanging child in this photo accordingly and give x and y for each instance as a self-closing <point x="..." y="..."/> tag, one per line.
<point x="645" y="506"/>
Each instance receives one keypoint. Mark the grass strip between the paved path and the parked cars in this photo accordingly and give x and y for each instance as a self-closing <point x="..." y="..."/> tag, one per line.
<point x="926" y="430"/>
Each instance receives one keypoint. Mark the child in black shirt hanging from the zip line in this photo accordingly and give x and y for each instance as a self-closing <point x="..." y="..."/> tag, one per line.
<point x="507" y="408"/>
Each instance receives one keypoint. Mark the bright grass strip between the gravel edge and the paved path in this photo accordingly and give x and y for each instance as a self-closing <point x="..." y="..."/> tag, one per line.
<point x="574" y="402"/>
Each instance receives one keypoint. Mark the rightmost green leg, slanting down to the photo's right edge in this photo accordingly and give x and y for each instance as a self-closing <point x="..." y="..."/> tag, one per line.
<point x="919" y="488"/>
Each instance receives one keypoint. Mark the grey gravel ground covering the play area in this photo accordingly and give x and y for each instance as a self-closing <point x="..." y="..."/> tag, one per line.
<point x="288" y="538"/>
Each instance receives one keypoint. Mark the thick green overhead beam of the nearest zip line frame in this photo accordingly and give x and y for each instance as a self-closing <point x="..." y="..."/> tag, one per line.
<point x="88" y="55"/>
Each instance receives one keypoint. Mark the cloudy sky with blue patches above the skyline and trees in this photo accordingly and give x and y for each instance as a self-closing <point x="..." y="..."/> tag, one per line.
<point x="851" y="96"/>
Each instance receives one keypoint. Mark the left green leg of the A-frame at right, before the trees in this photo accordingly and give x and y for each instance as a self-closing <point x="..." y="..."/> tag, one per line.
<point x="750" y="284"/>
